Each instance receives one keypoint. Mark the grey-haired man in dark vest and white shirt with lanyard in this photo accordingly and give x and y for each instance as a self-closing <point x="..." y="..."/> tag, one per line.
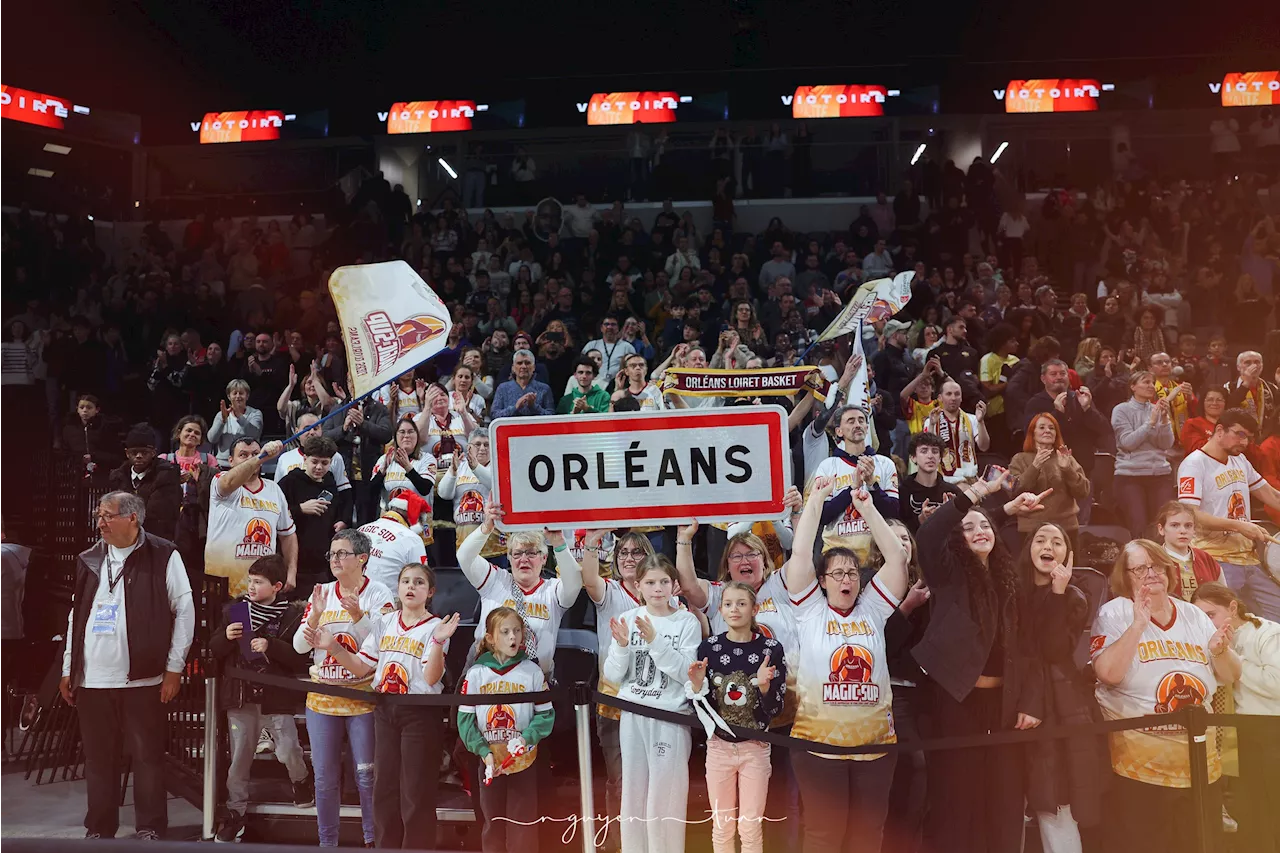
<point x="129" y="635"/>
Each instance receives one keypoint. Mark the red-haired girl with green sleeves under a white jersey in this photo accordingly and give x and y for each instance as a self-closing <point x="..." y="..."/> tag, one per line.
<point x="506" y="736"/>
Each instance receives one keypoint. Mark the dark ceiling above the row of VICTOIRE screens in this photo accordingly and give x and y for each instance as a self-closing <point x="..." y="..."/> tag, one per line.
<point x="181" y="57"/>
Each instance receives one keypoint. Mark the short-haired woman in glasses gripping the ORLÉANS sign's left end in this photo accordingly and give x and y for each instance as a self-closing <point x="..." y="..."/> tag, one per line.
<point x="540" y="601"/>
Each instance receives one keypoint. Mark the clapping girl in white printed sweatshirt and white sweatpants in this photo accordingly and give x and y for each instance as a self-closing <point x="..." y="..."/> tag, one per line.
<point x="653" y="649"/>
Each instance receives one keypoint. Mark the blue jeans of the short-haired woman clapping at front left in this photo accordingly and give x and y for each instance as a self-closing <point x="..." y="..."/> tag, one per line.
<point x="326" y="733"/>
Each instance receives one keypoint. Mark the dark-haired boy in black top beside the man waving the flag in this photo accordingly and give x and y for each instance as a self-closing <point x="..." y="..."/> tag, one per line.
<point x="318" y="508"/>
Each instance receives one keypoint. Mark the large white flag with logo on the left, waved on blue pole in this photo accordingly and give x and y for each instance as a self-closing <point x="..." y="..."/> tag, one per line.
<point x="391" y="322"/>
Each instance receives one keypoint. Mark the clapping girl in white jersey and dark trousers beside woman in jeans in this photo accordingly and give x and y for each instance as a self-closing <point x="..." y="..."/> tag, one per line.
<point x="405" y="653"/>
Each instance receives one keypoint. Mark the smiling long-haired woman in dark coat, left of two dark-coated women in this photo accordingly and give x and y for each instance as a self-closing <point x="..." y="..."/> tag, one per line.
<point x="986" y="677"/>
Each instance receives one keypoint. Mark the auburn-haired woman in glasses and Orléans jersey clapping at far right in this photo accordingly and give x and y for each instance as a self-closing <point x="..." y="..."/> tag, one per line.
<point x="1155" y="654"/>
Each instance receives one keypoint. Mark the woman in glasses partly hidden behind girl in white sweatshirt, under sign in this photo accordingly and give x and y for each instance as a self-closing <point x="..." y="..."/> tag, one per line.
<point x="614" y="595"/>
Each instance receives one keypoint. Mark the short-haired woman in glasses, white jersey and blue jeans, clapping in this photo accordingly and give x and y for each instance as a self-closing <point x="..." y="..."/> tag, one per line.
<point x="345" y="609"/>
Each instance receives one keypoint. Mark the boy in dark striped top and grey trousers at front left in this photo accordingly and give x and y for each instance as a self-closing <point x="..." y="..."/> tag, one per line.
<point x="254" y="708"/>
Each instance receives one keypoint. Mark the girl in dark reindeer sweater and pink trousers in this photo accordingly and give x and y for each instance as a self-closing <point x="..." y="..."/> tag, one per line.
<point x="740" y="678"/>
